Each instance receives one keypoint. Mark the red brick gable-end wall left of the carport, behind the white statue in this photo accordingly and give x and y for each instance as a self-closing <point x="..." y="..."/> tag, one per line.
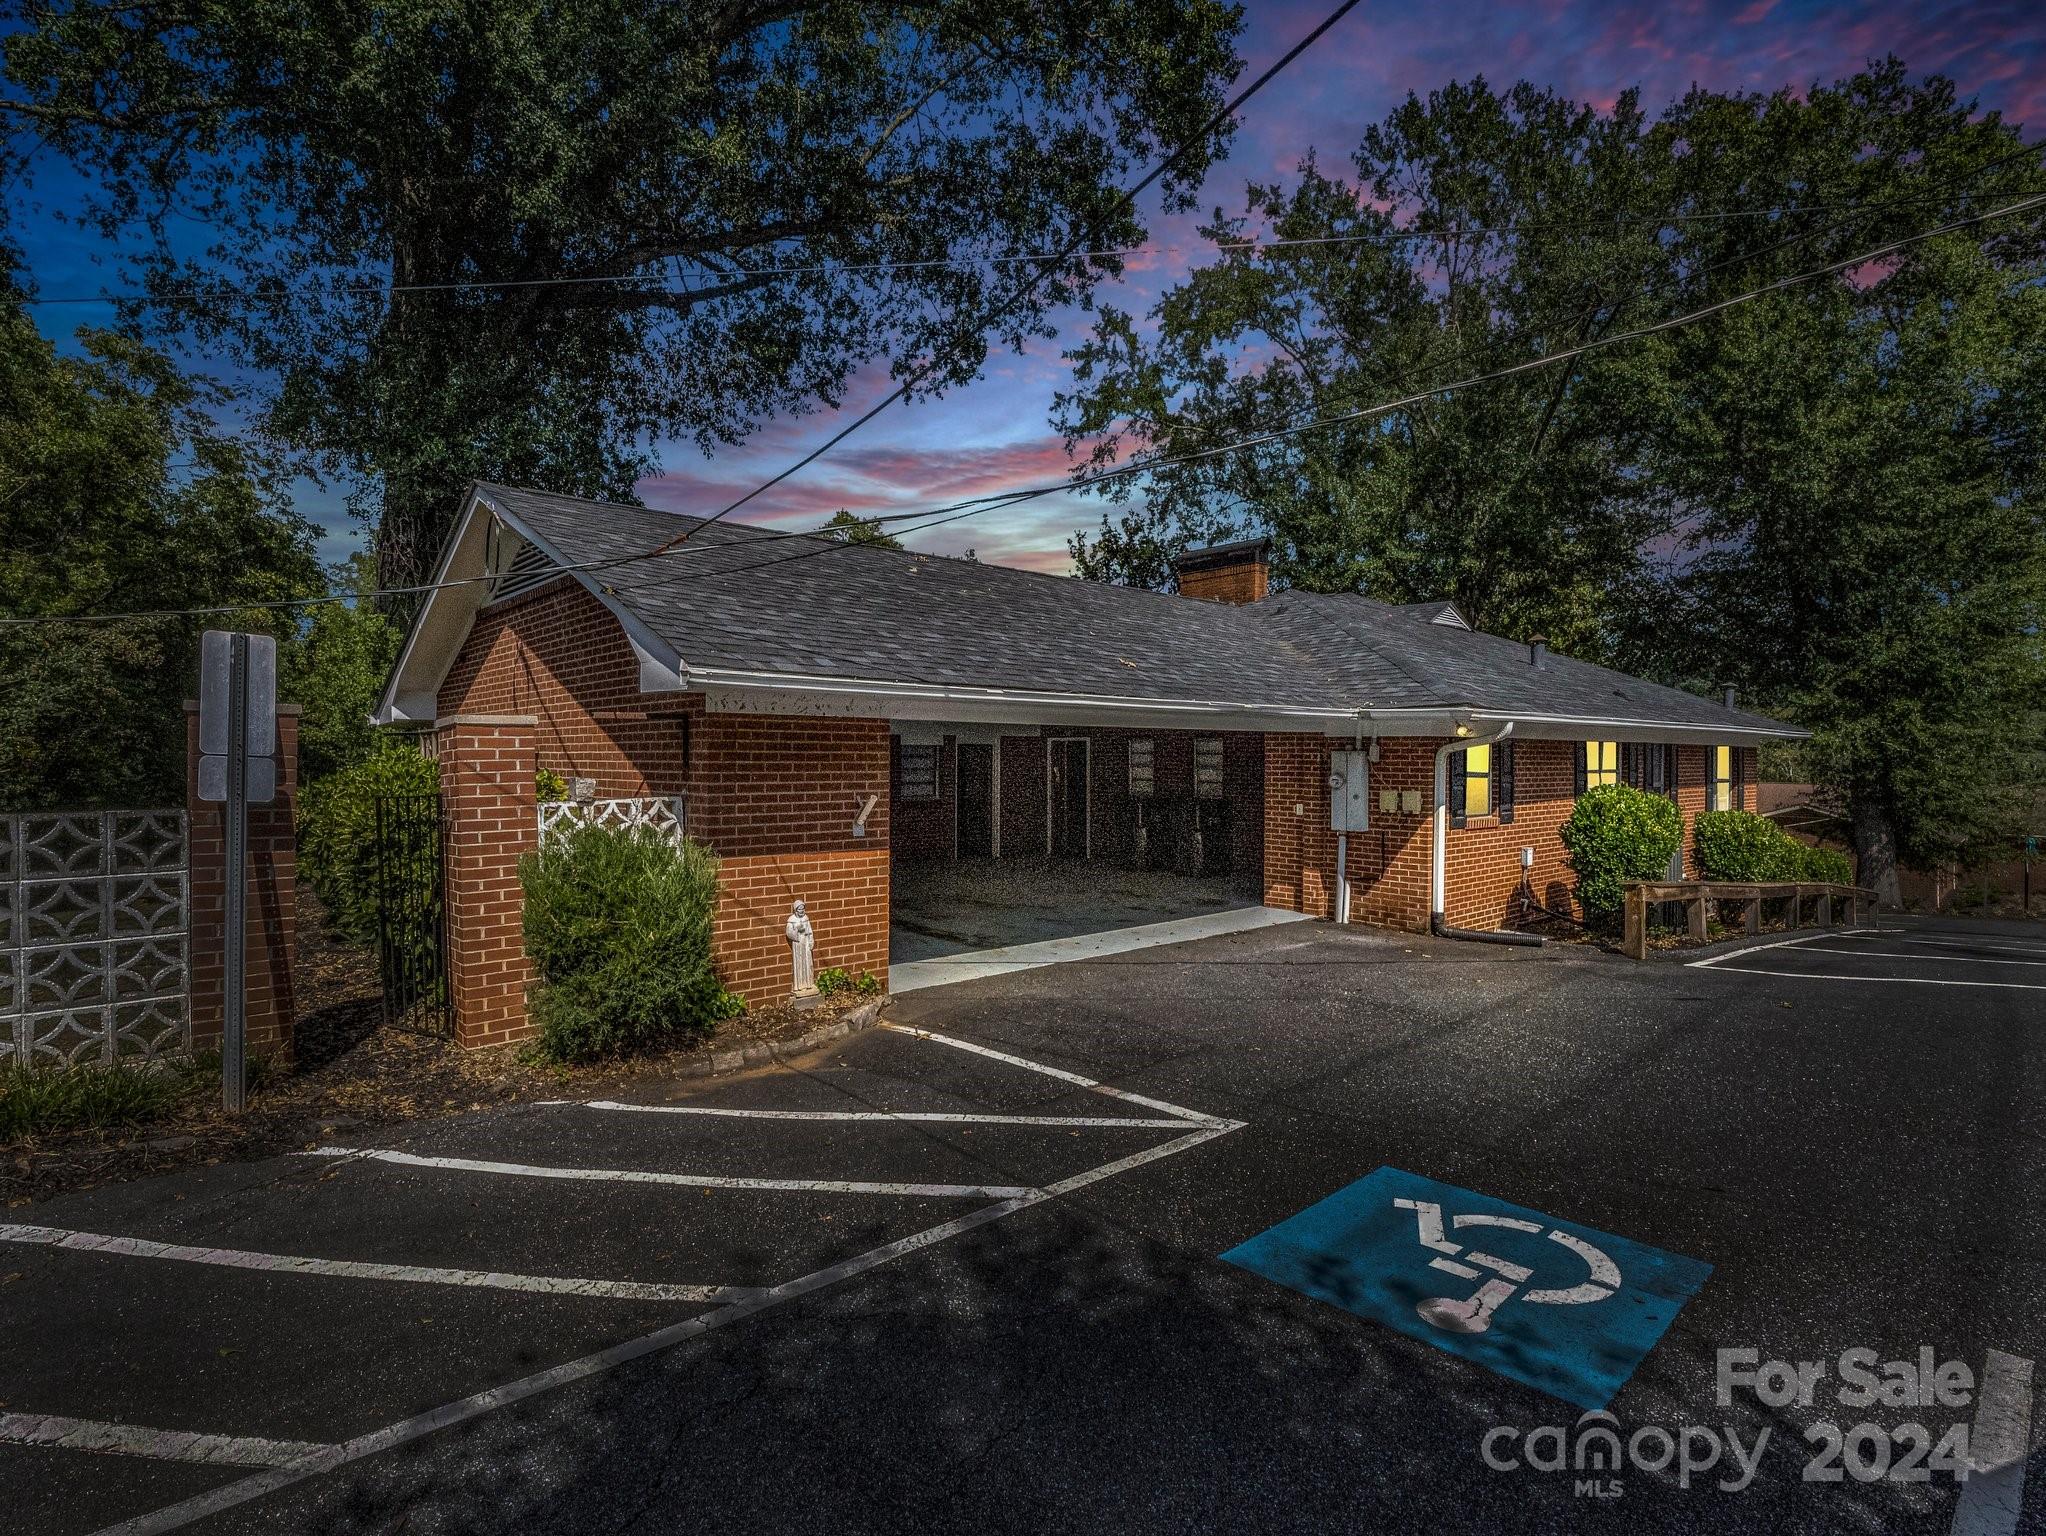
<point x="772" y="797"/>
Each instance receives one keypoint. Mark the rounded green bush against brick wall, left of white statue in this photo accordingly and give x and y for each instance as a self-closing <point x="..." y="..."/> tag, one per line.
<point x="619" y="932"/>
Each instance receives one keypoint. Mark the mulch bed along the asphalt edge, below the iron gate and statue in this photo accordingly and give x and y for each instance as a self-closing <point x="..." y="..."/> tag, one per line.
<point x="353" y="1075"/>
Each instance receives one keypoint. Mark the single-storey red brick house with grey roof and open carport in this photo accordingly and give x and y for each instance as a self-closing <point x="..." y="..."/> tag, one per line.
<point x="832" y="715"/>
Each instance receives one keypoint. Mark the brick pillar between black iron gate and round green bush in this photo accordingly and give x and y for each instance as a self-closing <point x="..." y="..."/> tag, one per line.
<point x="488" y="803"/>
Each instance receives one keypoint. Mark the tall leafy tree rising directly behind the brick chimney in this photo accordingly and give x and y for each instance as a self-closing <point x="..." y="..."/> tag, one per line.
<point x="1458" y="251"/>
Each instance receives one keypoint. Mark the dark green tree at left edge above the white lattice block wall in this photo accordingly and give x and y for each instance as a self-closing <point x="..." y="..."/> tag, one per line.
<point x="120" y="496"/>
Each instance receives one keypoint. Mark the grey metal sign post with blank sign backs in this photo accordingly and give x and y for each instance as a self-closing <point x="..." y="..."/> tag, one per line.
<point x="236" y="766"/>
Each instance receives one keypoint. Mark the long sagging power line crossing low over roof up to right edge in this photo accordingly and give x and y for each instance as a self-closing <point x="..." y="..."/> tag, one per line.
<point x="979" y="506"/>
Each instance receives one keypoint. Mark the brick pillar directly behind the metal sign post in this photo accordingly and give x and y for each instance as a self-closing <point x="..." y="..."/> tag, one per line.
<point x="273" y="911"/>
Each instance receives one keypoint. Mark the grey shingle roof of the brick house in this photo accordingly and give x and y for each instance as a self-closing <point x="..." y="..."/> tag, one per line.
<point x="748" y="600"/>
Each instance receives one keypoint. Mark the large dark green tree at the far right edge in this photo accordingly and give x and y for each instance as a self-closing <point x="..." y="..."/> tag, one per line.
<point x="1863" y="463"/>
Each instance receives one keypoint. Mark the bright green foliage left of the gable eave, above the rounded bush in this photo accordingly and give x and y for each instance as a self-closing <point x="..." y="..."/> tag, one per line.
<point x="337" y="674"/>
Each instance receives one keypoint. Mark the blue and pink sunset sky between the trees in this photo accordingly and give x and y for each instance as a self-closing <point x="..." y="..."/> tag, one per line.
<point x="995" y="435"/>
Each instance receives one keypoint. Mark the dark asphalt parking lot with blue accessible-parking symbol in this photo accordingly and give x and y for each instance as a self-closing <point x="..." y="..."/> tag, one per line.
<point x="1137" y="1245"/>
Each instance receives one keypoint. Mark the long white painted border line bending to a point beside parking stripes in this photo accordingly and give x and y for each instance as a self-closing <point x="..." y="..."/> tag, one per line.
<point x="324" y="1459"/>
